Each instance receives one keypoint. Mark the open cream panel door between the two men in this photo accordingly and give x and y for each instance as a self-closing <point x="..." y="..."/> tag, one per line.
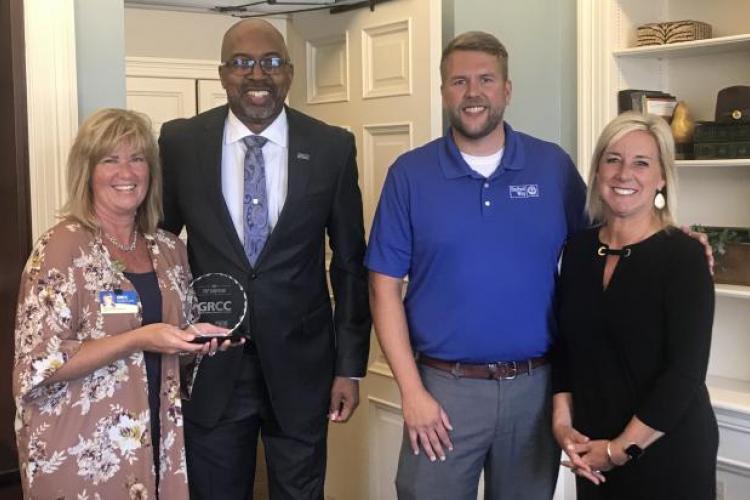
<point x="375" y="74"/>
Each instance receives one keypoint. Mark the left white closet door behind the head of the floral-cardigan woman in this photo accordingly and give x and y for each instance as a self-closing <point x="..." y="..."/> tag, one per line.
<point x="162" y="99"/>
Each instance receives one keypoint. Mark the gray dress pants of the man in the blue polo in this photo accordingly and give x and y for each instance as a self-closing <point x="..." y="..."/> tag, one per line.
<point x="501" y="427"/>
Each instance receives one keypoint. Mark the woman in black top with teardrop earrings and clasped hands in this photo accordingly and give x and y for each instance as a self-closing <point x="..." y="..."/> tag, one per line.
<point x="631" y="408"/>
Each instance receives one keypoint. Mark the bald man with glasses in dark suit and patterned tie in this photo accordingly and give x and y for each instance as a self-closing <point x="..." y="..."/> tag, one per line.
<point x="258" y="185"/>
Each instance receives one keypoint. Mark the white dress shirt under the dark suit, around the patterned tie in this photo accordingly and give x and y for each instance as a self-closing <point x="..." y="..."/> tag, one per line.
<point x="276" y="160"/>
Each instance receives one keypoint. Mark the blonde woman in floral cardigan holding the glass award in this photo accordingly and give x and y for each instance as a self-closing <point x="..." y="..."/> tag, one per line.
<point x="99" y="328"/>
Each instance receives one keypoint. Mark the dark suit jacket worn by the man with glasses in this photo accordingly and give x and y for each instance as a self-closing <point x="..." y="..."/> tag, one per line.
<point x="301" y="343"/>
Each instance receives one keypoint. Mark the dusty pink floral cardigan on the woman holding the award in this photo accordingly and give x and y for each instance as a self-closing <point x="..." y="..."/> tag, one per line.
<point x="90" y="438"/>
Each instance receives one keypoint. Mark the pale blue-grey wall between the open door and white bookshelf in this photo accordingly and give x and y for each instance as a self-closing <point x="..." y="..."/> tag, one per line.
<point x="540" y="36"/>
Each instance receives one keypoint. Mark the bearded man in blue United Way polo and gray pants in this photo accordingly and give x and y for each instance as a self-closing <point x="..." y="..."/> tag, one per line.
<point x="476" y="219"/>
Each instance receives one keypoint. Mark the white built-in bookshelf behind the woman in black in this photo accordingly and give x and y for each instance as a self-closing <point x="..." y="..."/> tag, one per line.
<point x="711" y="192"/>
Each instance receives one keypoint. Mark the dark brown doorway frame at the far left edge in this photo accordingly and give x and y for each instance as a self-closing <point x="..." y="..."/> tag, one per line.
<point x="15" y="243"/>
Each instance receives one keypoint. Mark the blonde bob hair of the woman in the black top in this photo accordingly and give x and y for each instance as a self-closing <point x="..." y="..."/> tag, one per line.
<point x="614" y="131"/>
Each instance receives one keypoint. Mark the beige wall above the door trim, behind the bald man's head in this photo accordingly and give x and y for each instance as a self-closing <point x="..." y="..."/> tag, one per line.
<point x="179" y="35"/>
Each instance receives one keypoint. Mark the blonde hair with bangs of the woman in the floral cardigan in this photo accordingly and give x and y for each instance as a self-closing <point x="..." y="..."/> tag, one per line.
<point x="99" y="136"/>
